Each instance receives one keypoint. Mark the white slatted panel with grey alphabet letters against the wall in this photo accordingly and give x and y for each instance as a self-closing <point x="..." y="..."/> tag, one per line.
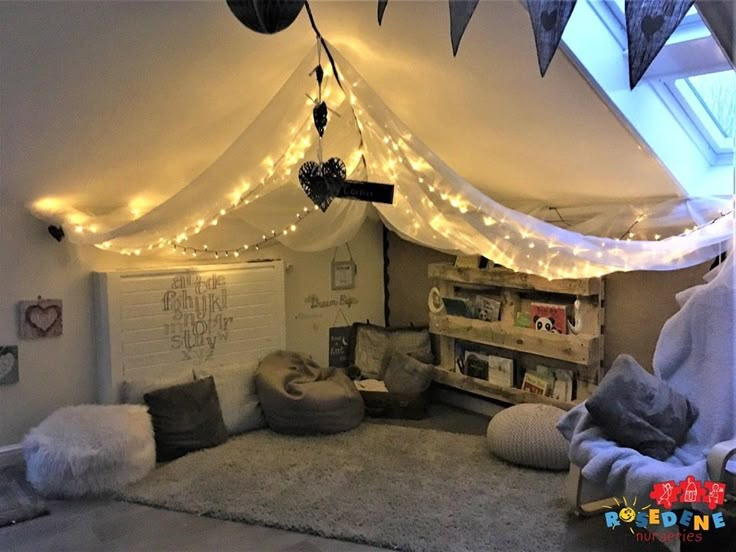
<point x="170" y="321"/>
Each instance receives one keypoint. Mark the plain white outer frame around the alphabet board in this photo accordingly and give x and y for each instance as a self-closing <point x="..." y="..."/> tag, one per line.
<point x="108" y="314"/>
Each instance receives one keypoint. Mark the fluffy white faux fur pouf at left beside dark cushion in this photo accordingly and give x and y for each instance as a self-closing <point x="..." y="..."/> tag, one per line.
<point x="89" y="450"/>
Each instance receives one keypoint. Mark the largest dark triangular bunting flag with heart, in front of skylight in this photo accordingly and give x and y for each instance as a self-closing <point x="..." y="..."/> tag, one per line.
<point x="649" y="23"/>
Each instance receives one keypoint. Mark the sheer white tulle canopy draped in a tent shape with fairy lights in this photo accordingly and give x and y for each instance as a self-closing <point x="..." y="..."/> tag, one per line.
<point x="254" y="182"/>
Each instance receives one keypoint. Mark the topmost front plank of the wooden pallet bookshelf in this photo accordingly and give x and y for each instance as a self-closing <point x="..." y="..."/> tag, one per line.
<point x="502" y="277"/>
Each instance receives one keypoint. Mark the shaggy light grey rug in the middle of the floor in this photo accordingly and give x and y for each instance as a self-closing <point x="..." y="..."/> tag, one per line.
<point x="397" y="487"/>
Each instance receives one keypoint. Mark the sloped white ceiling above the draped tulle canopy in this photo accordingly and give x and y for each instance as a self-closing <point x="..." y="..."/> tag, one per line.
<point x="106" y="103"/>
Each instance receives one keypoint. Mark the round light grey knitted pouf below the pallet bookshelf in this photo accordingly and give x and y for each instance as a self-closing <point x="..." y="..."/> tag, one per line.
<point x="525" y="434"/>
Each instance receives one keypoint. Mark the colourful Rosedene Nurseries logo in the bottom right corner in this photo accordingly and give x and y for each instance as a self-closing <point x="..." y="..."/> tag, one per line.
<point x="647" y="519"/>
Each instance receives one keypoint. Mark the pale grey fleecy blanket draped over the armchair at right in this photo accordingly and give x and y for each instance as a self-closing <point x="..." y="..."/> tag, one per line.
<point x="695" y="355"/>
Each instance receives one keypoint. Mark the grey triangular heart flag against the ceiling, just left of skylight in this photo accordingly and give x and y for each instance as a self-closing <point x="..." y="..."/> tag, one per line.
<point x="549" y="18"/>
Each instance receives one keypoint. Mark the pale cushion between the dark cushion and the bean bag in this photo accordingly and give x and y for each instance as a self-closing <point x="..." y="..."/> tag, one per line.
<point x="236" y="389"/>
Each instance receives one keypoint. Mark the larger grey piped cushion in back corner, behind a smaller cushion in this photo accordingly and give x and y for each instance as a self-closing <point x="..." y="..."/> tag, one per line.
<point x="373" y="346"/>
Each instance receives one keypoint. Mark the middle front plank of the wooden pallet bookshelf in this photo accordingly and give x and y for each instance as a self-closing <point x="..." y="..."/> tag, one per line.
<point x="578" y="349"/>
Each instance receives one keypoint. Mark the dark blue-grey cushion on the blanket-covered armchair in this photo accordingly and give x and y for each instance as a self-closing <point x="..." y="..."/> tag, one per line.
<point x="640" y="411"/>
